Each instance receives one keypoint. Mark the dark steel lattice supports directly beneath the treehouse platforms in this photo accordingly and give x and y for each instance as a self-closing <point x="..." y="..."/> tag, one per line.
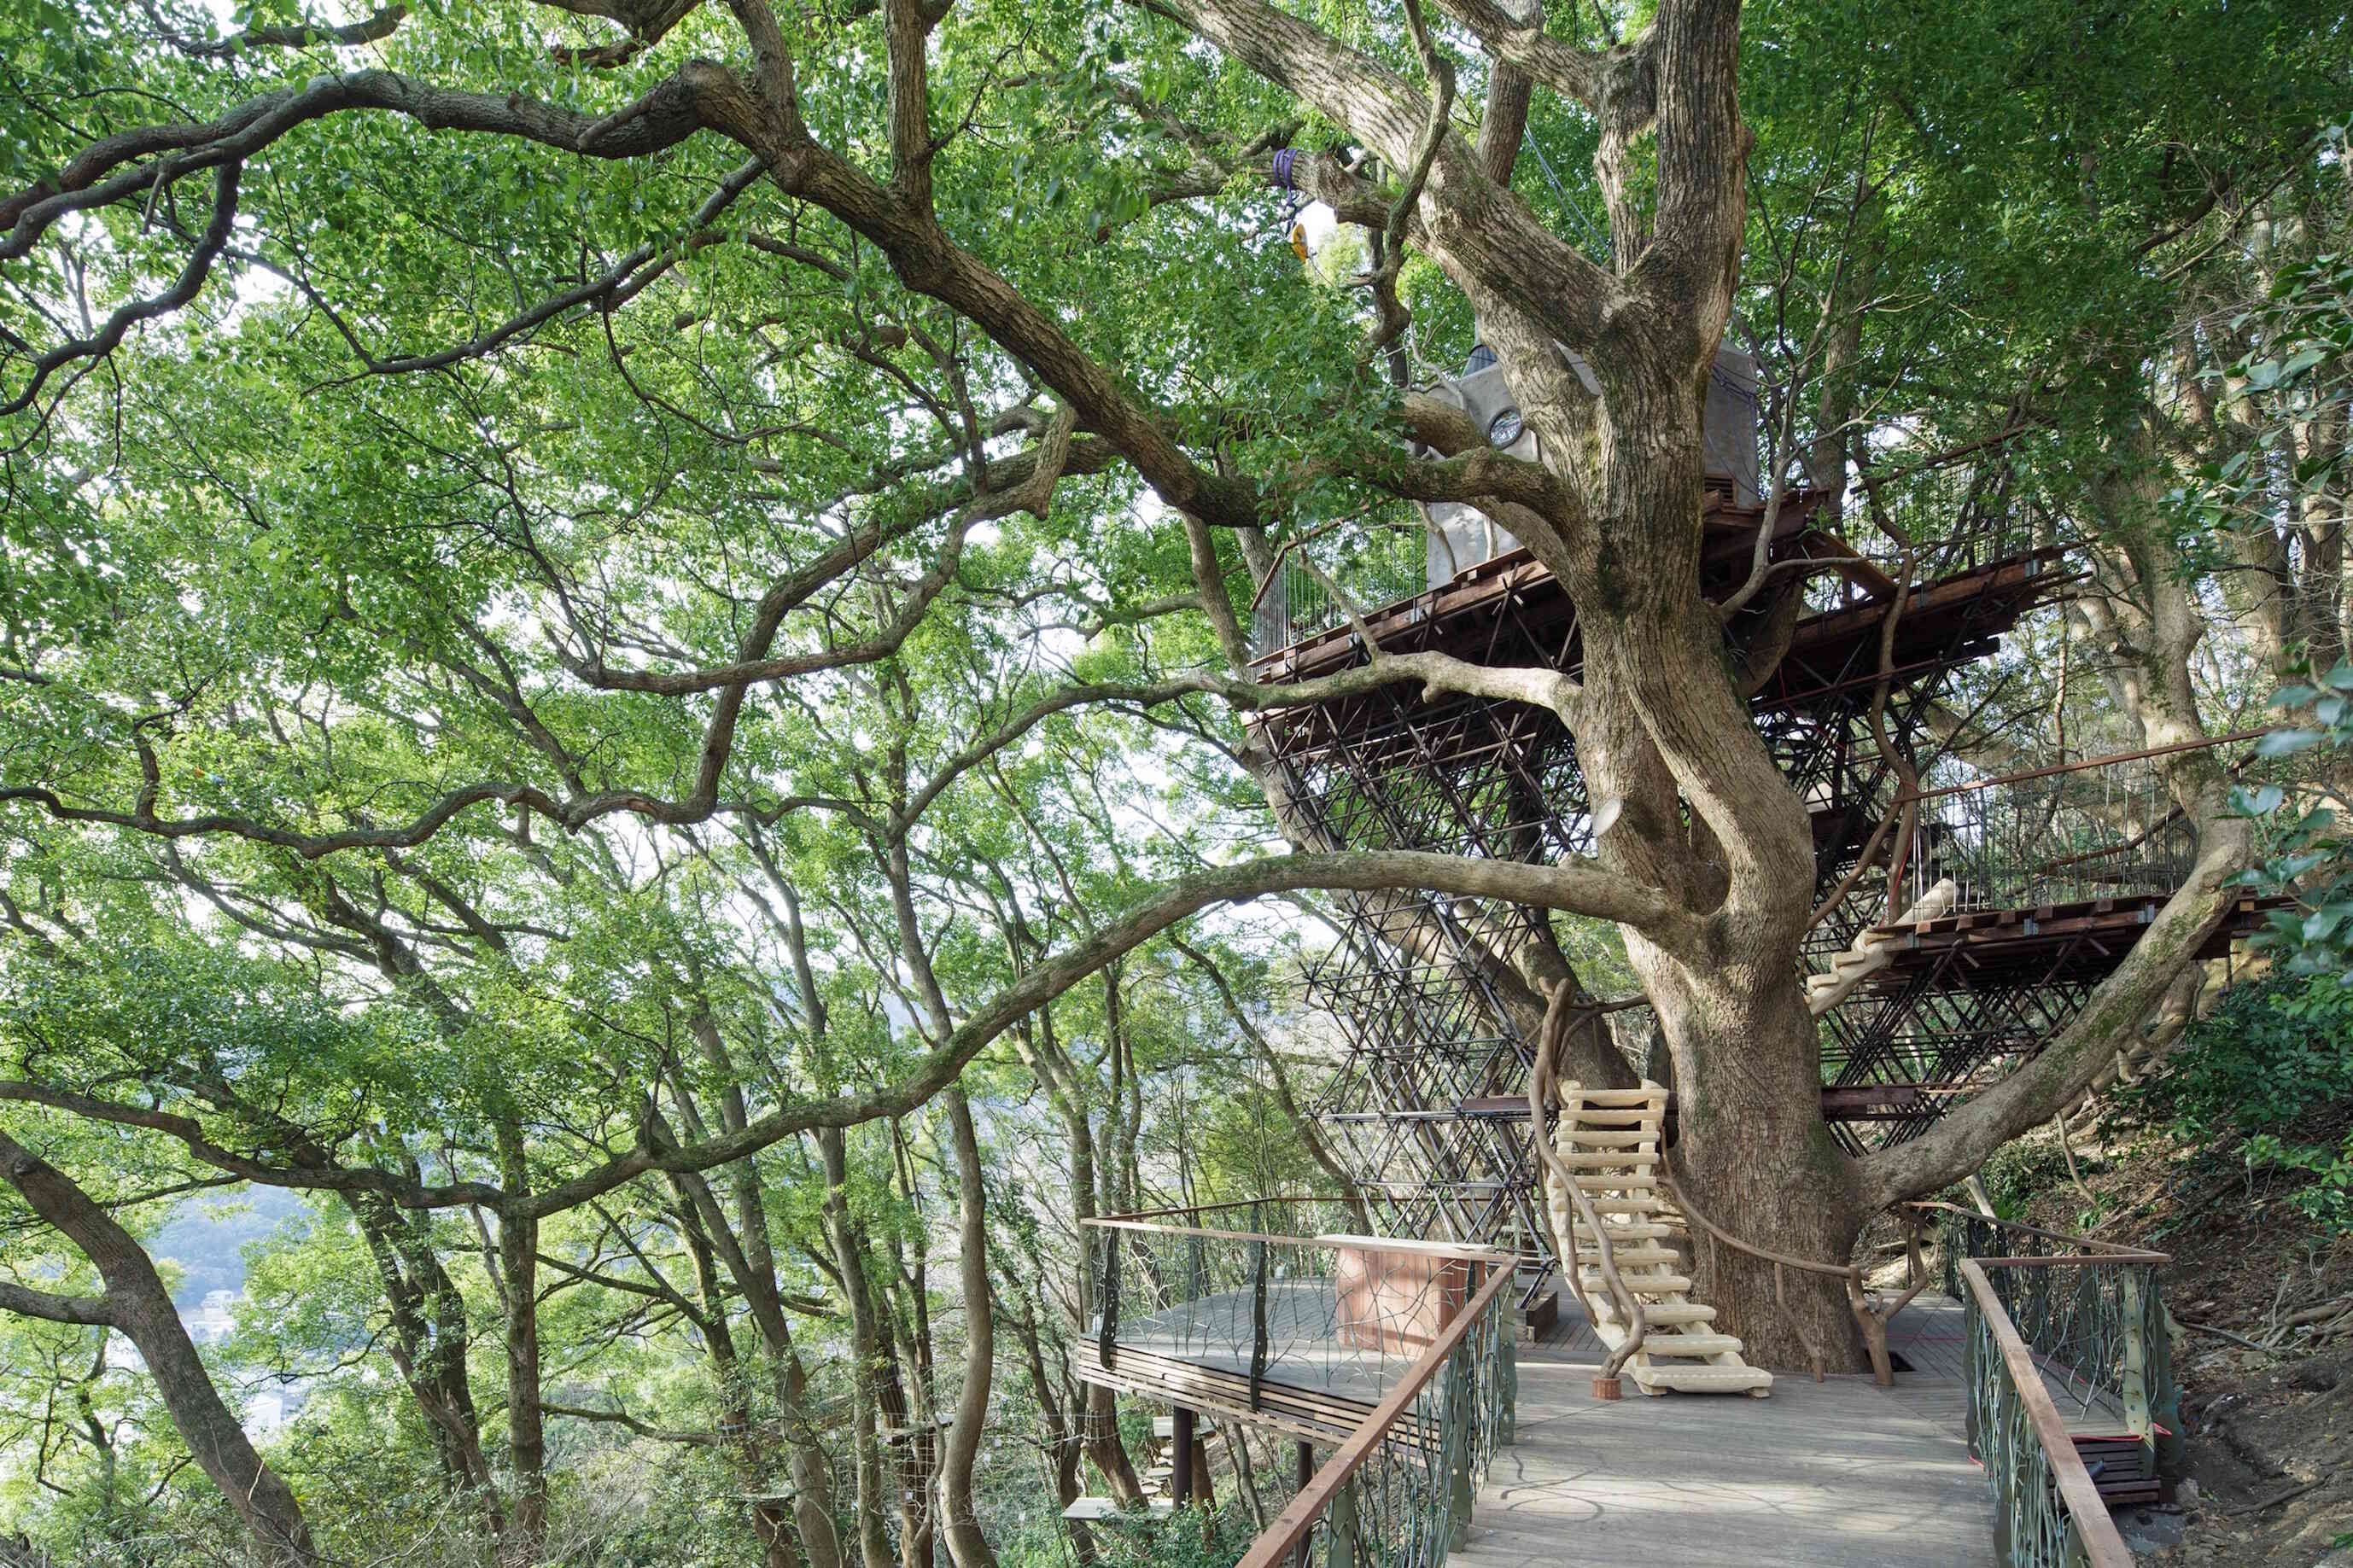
<point x="1425" y="1099"/>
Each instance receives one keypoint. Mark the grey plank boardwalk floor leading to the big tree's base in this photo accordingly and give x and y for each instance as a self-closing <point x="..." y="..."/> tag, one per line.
<point x="1834" y="1473"/>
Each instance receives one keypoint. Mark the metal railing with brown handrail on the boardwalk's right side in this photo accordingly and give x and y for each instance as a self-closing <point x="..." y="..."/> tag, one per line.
<point x="2067" y="1339"/>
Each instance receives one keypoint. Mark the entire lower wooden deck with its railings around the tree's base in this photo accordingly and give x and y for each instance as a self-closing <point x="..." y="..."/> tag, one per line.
<point x="1432" y="1426"/>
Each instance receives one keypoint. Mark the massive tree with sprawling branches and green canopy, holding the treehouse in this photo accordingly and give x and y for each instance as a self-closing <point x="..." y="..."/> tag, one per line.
<point x="446" y="434"/>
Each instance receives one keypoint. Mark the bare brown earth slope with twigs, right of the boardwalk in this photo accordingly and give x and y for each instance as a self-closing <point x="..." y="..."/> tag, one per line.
<point x="2265" y="1336"/>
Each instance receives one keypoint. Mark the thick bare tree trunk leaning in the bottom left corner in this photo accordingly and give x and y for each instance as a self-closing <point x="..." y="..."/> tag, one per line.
<point x="140" y="1306"/>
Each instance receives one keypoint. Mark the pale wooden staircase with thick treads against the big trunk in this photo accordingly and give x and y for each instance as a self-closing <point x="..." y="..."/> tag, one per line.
<point x="1611" y="1141"/>
